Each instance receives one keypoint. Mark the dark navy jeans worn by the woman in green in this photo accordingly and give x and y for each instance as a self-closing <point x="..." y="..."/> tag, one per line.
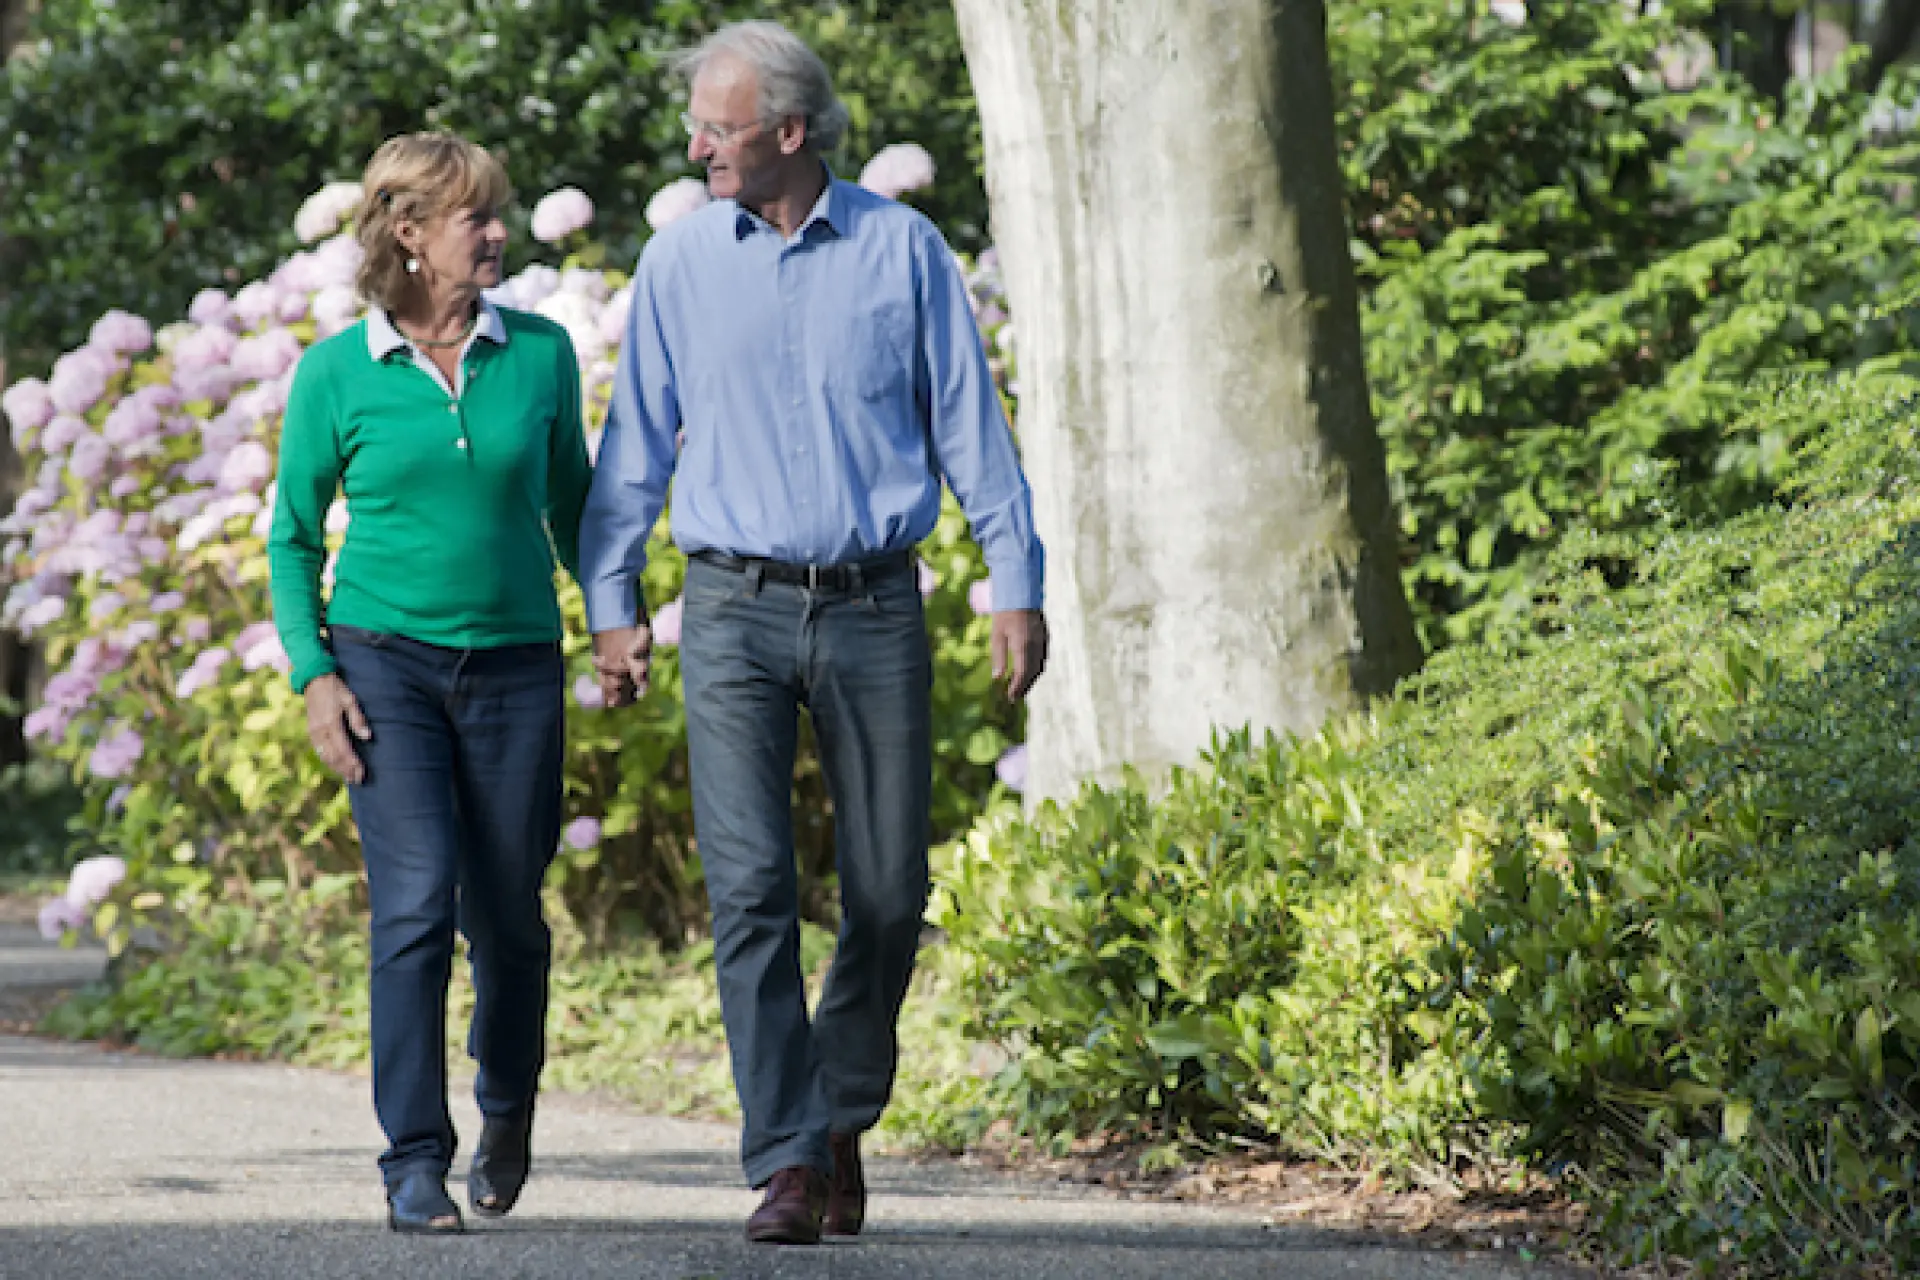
<point x="460" y="818"/>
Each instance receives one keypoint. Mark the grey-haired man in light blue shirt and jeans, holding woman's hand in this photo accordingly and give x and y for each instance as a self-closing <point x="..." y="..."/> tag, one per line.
<point x="813" y="346"/>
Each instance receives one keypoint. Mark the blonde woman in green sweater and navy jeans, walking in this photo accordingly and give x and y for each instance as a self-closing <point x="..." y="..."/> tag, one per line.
<point x="433" y="673"/>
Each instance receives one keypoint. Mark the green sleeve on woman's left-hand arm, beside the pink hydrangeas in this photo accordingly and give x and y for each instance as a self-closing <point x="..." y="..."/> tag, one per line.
<point x="297" y="544"/>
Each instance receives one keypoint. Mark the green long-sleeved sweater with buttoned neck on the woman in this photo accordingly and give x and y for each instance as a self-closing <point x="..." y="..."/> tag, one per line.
<point x="456" y="506"/>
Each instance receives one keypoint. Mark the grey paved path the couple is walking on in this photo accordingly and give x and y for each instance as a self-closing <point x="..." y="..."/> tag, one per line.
<point x="128" y="1166"/>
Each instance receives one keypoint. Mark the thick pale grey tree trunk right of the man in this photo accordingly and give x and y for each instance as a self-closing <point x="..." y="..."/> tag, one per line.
<point x="1193" y="402"/>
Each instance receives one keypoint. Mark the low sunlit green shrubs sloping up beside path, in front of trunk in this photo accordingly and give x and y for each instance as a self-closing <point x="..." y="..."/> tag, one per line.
<point x="1633" y="895"/>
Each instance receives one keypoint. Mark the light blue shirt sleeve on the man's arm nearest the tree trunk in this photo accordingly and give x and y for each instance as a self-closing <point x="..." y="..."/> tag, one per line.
<point x="972" y="442"/>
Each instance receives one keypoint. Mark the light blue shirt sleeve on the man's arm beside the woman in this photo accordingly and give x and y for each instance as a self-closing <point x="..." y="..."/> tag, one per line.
<point x="636" y="462"/>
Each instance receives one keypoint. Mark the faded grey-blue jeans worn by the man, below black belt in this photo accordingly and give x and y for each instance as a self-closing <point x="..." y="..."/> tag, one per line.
<point x="752" y="655"/>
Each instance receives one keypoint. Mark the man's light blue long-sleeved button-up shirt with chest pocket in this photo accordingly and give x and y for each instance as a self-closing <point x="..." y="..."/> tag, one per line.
<point x="821" y="389"/>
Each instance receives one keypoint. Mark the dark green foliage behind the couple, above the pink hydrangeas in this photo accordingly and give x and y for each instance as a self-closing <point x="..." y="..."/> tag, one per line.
<point x="176" y="139"/>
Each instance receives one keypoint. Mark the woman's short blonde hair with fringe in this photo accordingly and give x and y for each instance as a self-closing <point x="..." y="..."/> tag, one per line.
<point x="421" y="178"/>
